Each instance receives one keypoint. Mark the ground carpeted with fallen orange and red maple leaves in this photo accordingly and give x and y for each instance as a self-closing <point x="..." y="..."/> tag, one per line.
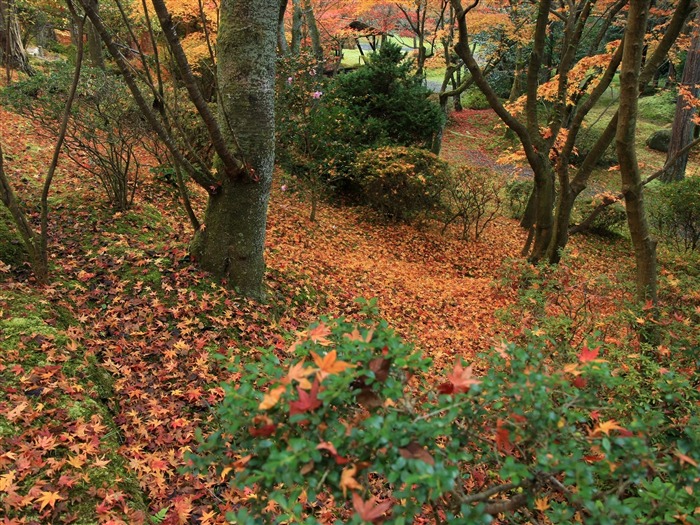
<point x="107" y="371"/>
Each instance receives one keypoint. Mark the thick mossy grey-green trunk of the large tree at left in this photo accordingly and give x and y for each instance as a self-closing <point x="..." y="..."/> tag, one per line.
<point x="230" y="244"/>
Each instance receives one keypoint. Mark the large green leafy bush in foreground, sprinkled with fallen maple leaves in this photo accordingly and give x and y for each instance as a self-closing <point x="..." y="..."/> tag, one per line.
<point x="353" y="417"/>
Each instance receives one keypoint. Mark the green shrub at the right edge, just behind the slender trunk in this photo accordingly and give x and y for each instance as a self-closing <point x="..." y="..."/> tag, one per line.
<point x="674" y="209"/>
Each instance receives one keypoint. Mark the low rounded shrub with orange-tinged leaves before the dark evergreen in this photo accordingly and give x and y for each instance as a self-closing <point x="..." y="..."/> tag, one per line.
<point x="401" y="183"/>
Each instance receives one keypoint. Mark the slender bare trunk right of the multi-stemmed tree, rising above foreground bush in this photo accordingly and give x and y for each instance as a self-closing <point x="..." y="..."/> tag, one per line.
<point x="644" y="245"/>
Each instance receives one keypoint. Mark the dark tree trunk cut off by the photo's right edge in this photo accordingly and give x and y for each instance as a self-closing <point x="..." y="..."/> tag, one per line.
<point x="683" y="125"/>
